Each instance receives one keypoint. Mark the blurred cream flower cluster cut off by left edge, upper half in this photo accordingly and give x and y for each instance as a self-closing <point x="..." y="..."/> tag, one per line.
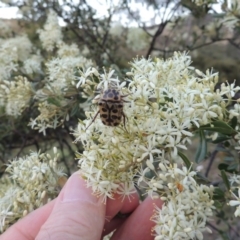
<point x="16" y="59"/>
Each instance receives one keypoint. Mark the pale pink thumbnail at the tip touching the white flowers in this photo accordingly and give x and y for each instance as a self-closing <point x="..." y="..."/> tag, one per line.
<point x="76" y="190"/>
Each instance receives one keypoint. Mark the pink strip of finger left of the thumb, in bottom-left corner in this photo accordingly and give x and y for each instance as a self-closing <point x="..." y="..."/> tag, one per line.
<point x="28" y="227"/>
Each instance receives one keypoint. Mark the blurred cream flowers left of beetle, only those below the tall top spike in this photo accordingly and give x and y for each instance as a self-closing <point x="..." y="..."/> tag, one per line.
<point x="53" y="105"/>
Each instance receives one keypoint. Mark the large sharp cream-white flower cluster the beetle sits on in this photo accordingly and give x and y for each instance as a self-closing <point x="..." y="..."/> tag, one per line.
<point x="166" y="102"/>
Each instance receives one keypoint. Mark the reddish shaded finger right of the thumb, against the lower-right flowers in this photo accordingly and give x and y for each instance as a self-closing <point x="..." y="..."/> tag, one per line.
<point x="139" y="224"/>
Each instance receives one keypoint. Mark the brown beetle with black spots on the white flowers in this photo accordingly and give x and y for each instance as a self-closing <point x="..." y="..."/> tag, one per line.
<point x="110" y="106"/>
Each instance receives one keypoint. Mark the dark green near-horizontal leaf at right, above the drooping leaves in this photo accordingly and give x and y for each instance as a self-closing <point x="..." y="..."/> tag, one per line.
<point x="220" y="127"/>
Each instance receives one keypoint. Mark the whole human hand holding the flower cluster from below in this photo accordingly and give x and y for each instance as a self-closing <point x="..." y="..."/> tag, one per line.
<point x="77" y="214"/>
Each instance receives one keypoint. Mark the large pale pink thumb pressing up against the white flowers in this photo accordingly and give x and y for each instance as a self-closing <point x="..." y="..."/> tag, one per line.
<point x="77" y="214"/>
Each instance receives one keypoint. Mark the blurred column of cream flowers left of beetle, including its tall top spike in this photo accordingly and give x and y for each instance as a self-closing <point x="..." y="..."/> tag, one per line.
<point x="59" y="94"/>
